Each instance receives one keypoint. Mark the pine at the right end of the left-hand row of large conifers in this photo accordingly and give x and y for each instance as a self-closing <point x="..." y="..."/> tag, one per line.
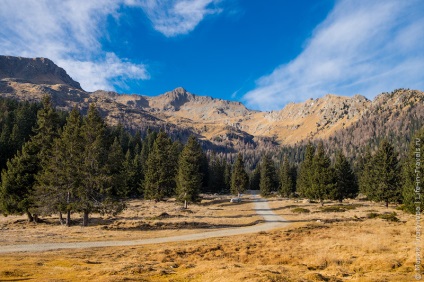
<point x="189" y="177"/>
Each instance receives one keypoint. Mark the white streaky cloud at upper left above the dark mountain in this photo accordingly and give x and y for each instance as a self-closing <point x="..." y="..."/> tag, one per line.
<point x="69" y="33"/>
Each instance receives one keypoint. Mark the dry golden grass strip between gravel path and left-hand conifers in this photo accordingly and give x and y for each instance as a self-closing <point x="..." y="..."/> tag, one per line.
<point x="141" y="220"/>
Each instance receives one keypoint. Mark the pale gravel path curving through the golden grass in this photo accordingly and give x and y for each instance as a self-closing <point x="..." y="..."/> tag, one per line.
<point x="261" y="206"/>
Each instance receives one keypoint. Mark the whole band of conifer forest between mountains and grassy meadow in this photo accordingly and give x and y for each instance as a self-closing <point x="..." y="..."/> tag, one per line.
<point x="62" y="162"/>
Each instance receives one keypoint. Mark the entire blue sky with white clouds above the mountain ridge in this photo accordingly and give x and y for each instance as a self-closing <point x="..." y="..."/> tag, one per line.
<point x="262" y="53"/>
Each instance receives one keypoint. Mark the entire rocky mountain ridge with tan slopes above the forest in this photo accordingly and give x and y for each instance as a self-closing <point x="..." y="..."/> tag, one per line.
<point x="181" y="112"/>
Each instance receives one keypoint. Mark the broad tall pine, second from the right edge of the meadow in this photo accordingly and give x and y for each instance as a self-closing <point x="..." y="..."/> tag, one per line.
<point x="387" y="173"/>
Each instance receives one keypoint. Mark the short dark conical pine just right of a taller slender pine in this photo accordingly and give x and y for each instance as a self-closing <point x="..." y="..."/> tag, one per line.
<point x="345" y="180"/>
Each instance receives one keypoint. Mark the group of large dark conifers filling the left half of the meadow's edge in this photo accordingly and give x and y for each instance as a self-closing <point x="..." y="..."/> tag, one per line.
<point x="84" y="166"/>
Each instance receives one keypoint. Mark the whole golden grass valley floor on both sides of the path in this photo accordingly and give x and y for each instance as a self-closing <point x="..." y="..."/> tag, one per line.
<point x="356" y="241"/>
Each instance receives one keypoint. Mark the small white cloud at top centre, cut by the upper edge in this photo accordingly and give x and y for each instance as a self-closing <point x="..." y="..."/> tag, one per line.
<point x="176" y="17"/>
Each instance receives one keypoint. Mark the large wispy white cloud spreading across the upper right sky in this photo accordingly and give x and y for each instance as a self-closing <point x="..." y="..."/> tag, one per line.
<point x="365" y="47"/>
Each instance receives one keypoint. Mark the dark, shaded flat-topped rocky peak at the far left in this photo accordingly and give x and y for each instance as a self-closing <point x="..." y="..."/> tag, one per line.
<point x="34" y="70"/>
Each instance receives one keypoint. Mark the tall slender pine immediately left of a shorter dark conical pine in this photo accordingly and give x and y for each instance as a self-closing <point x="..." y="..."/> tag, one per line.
<point x="322" y="176"/>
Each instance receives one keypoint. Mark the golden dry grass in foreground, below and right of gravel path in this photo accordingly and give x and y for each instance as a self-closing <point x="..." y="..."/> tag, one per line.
<point x="343" y="246"/>
